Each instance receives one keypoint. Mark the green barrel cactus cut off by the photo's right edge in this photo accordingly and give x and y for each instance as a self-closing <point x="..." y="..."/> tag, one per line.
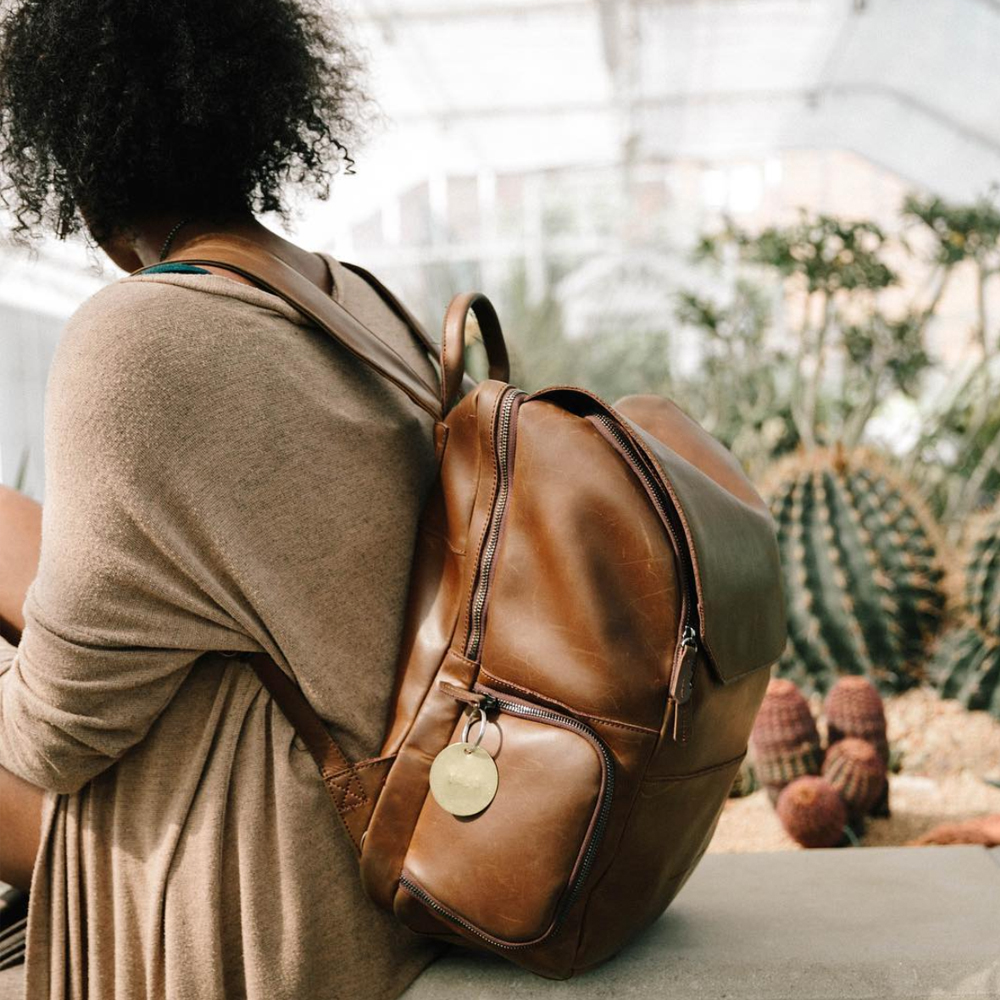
<point x="967" y="660"/>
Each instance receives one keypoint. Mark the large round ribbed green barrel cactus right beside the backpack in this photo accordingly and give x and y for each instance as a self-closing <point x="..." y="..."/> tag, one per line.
<point x="863" y="582"/>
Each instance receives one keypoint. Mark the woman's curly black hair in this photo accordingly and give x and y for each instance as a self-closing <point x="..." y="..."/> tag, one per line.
<point x="110" y="109"/>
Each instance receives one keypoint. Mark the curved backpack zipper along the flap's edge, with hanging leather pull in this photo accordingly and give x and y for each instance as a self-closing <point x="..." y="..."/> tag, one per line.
<point x="686" y="654"/>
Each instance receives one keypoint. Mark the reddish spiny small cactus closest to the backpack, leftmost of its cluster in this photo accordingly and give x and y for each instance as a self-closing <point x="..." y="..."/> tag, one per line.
<point x="784" y="743"/>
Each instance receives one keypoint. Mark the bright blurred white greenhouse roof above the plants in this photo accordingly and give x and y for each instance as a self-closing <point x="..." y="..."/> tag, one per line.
<point x="517" y="85"/>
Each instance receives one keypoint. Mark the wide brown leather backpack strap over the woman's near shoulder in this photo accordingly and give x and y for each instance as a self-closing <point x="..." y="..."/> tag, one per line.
<point x="274" y="275"/>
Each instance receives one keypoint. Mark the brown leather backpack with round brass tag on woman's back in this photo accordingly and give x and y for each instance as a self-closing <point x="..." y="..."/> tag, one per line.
<point x="595" y="598"/>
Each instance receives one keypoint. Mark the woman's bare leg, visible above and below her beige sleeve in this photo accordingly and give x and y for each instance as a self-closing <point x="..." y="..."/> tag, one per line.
<point x="20" y="803"/>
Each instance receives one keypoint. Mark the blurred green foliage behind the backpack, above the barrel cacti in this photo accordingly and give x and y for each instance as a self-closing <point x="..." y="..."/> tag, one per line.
<point x="807" y="331"/>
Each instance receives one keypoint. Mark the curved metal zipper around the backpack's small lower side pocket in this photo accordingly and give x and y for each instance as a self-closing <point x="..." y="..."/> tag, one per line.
<point x="516" y="708"/>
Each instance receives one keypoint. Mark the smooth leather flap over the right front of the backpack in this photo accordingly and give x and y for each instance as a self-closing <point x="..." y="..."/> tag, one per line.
<point x="730" y="533"/>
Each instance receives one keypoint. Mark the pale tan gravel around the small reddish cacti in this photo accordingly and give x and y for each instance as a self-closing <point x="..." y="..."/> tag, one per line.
<point x="946" y="752"/>
